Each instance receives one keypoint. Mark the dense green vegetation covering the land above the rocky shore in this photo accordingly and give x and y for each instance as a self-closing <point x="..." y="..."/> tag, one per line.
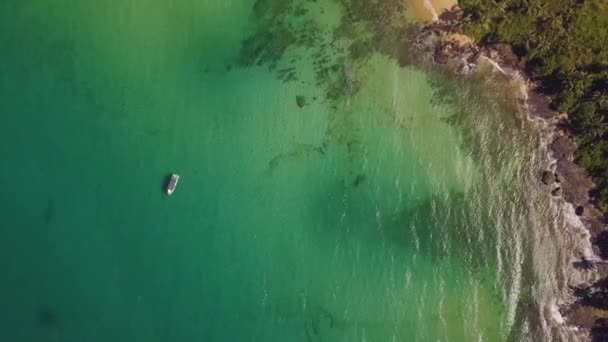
<point x="564" y="45"/>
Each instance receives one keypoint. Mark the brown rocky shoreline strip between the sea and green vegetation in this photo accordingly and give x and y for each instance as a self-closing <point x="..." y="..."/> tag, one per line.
<point x="442" y="42"/>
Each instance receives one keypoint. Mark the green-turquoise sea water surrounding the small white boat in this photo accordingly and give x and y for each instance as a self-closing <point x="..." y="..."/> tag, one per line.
<point x="332" y="188"/>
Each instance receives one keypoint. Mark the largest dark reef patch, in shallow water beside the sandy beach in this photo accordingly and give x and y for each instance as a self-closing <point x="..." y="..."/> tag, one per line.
<point x="364" y="29"/>
